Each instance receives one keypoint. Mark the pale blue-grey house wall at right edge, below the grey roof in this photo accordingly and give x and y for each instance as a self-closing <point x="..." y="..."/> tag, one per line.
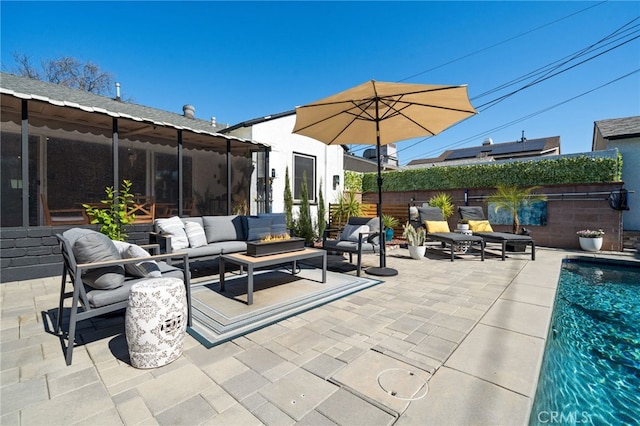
<point x="630" y="150"/>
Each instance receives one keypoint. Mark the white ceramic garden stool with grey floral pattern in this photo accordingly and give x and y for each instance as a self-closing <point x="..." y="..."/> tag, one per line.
<point x="156" y="322"/>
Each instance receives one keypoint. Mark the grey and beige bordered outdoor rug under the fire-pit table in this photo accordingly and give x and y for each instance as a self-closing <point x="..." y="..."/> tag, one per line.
<point x="222" y="316"/>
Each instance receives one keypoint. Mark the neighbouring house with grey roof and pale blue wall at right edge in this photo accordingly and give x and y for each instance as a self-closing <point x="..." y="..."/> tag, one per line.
<point x="623" y="134"/>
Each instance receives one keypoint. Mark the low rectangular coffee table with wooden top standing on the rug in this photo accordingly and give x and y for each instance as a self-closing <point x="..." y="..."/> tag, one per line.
<point x="251" y="263"/>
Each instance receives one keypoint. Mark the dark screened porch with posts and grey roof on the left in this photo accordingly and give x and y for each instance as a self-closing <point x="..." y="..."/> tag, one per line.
<point x="69" y="144"/>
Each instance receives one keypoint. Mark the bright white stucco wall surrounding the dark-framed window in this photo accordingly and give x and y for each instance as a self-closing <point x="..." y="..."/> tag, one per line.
<point x="277" y="133"/>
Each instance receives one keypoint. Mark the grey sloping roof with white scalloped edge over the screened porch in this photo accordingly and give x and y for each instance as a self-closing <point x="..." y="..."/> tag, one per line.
<point x="56" y="94"/>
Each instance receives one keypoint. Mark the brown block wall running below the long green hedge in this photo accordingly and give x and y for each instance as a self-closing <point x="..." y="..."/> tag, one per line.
<point x="564" y="217"/>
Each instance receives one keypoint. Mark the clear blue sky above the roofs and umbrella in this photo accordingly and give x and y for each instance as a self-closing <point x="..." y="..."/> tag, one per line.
<point x="243" y="60"/>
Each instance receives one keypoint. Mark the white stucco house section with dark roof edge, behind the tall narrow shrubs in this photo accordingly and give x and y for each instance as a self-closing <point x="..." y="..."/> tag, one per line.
<point x="322" y="163"/>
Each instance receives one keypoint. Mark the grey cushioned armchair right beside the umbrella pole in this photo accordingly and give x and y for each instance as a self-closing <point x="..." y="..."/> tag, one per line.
<point x="359" y="235"/>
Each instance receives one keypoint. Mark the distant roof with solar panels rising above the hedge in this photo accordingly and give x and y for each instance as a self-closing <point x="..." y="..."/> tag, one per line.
<point x="524" y="148"/>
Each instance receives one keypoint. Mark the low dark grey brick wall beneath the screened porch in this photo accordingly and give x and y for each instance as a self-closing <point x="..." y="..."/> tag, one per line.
<point x="28" y="253"/>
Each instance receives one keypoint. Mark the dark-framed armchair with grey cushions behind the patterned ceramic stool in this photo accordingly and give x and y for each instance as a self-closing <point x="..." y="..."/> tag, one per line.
<point x="92" y="300"/>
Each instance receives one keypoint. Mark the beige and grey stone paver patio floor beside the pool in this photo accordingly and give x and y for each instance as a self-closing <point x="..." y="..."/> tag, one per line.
<point x="474" y="331"/>
